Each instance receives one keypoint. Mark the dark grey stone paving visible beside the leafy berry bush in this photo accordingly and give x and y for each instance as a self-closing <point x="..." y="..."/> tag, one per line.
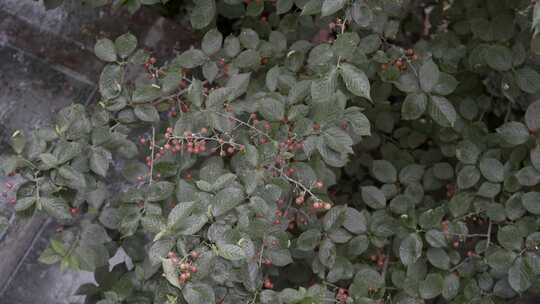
<point x="47" y="62"/>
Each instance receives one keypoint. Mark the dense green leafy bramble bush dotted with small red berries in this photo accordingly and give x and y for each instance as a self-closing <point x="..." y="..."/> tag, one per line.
<point x="316" y="151"/>
